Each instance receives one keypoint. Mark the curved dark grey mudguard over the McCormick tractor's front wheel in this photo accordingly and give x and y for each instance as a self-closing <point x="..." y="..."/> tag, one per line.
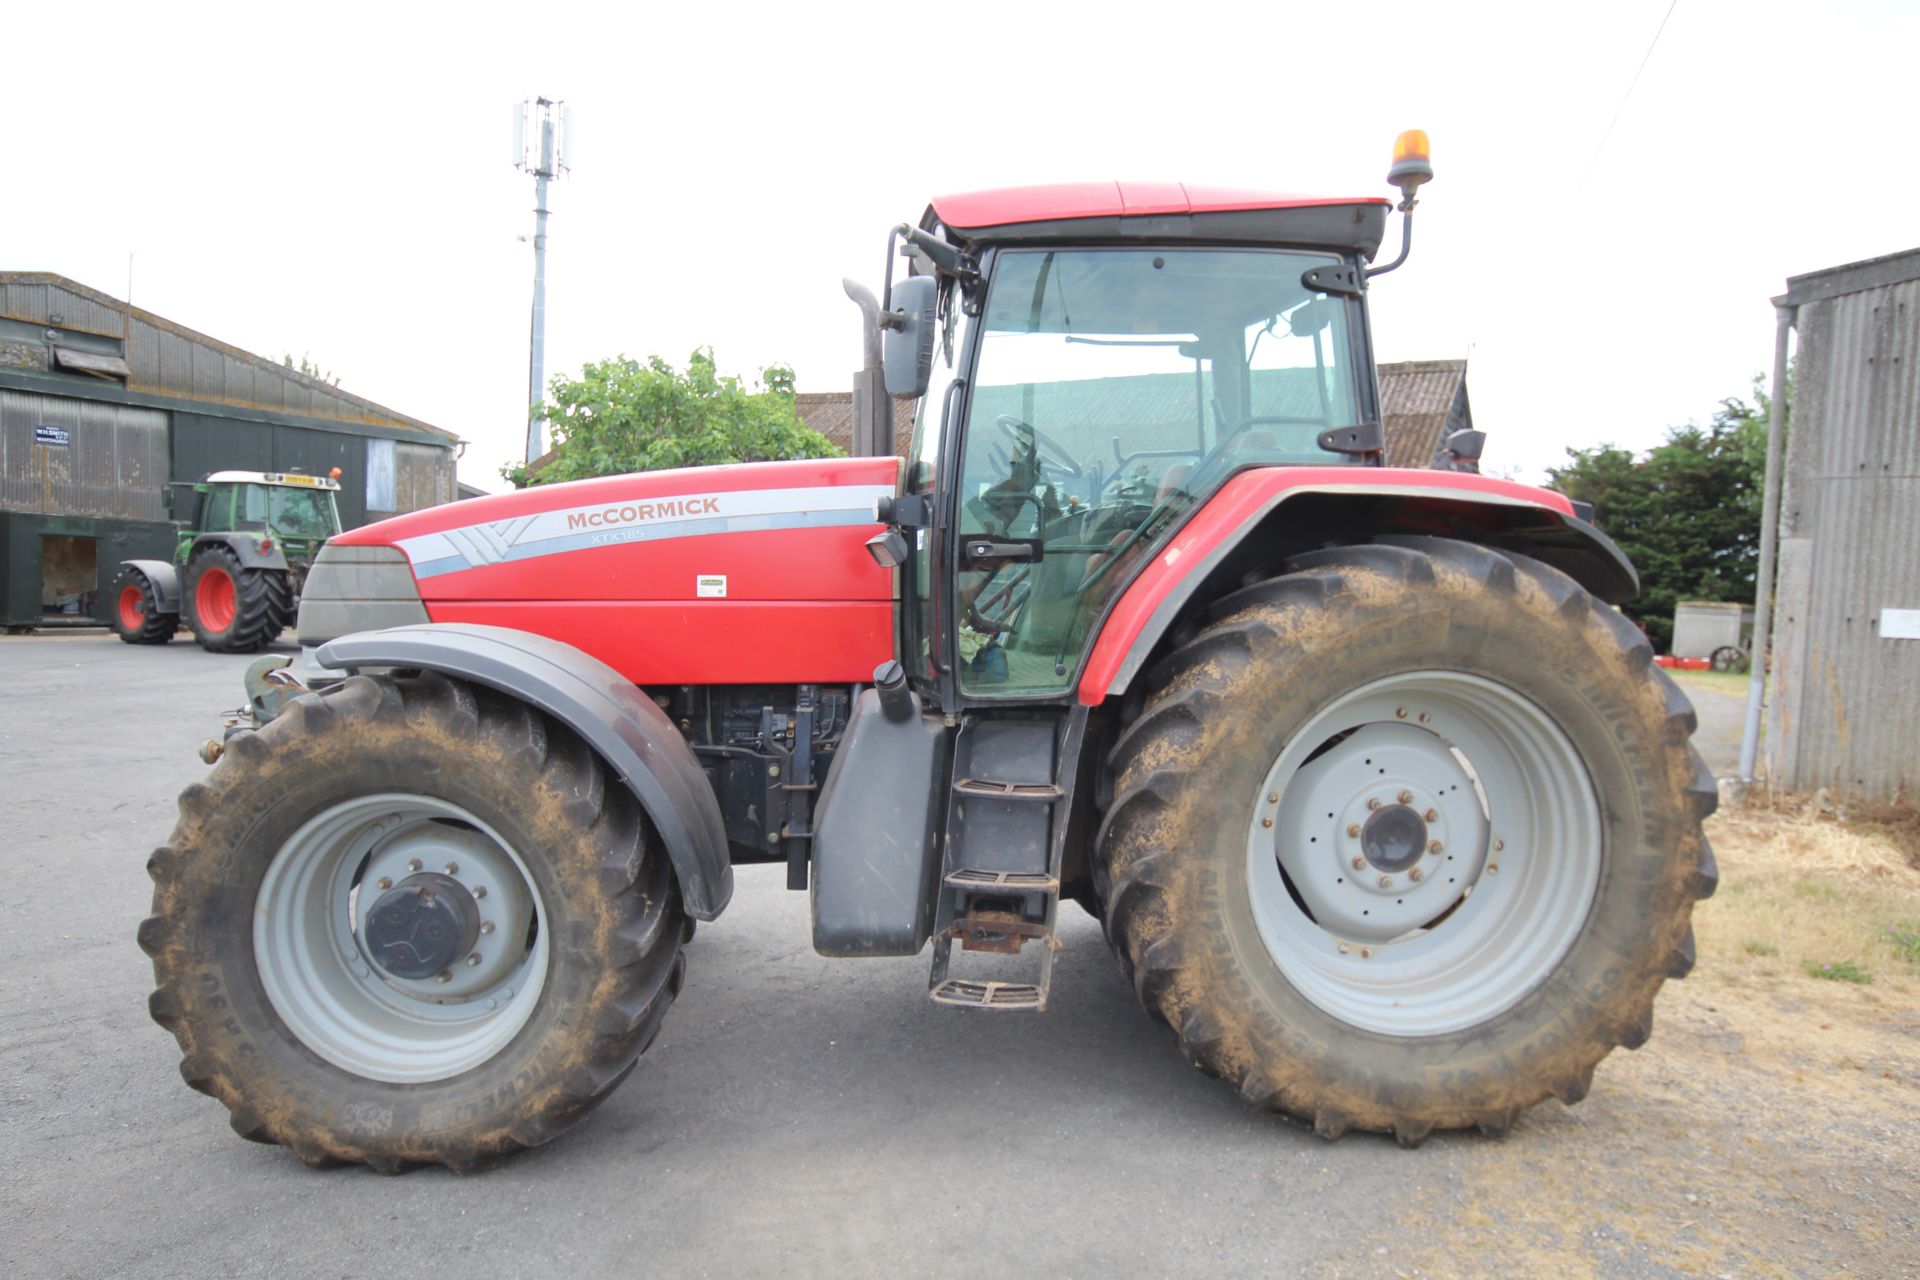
<point x="617" y="721"/>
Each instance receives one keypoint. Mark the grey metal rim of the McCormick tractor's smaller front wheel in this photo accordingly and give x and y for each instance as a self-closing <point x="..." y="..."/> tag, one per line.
<point x="322" y="980"/>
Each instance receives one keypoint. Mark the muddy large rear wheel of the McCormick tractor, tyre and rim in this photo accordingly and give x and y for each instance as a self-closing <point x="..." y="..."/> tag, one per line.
<point x="1401" y="1026"/>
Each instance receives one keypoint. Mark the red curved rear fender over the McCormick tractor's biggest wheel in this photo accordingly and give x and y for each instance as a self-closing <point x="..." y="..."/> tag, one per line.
<point x="1262" y="517"/>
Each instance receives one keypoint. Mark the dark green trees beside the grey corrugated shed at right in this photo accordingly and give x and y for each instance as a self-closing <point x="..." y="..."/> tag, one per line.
<point x="1687" y="513"/>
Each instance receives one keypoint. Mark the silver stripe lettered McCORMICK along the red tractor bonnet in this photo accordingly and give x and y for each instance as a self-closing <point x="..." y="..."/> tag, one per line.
<point x="640" y="521"/>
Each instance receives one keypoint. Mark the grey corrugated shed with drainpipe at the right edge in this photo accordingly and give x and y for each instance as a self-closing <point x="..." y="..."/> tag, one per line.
<point x="1844" y="709"/>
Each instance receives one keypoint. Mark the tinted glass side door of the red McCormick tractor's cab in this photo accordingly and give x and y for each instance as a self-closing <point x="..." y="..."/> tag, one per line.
<point x="1115" y="391"/>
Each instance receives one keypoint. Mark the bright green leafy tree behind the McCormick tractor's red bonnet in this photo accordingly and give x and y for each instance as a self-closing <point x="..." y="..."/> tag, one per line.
<point x="623" y="415"/>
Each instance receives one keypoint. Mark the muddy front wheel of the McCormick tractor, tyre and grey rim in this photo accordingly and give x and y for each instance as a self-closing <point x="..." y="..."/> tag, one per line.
<point x="268" y="959"/>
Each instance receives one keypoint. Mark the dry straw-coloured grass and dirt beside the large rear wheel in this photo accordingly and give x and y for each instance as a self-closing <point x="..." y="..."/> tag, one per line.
<point x="1773" y="1124"/>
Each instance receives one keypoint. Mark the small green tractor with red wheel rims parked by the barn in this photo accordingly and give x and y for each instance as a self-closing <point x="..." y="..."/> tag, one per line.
<point x="243" y="557"/>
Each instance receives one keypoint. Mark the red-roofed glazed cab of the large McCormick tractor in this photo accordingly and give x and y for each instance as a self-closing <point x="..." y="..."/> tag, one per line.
<point x="1095" y="364"/>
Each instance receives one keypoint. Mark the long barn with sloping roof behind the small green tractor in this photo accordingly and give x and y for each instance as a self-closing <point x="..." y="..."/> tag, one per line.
<point x="103" y="406"/>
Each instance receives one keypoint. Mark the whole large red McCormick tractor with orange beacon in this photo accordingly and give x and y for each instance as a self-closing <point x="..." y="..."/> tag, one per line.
<point x="1383" y="807"/>
